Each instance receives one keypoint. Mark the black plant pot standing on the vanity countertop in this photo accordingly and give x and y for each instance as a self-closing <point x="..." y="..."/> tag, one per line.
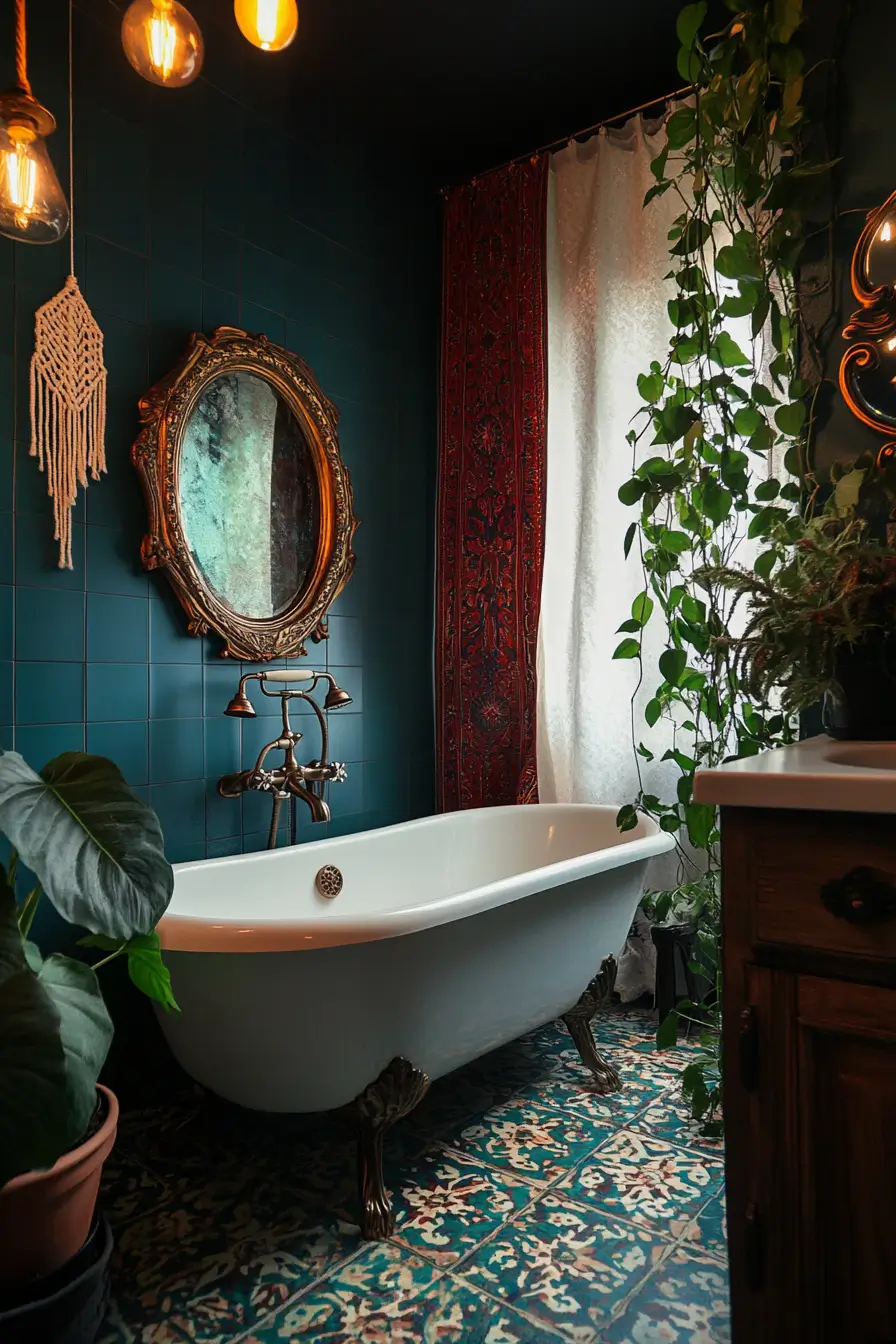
<point x="864" y="705"/>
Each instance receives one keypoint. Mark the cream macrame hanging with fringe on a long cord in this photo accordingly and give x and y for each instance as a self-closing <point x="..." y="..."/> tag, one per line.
<point x="68" y="384"/>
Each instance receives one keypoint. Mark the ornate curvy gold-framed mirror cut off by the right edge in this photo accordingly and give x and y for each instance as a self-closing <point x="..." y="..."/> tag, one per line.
<point x="868" y="369"/>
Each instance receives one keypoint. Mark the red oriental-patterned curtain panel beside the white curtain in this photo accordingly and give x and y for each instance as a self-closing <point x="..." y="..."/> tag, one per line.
<point x="492" y="476"/>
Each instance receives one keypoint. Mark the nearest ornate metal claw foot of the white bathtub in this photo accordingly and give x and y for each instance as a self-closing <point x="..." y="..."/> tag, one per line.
<point x="396" y="1093"/>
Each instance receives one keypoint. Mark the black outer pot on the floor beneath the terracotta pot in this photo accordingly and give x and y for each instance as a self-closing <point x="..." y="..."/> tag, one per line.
<point x="66" y="1307"/>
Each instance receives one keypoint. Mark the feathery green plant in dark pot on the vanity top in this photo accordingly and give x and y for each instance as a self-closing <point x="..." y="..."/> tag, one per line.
<point x="821" y="620"/>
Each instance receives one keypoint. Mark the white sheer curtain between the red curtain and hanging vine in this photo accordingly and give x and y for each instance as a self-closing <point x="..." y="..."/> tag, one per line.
<point x="607" y="322"/>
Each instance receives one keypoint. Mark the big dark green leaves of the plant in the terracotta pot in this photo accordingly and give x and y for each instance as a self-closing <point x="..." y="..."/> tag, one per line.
<point x="96" y="853"/>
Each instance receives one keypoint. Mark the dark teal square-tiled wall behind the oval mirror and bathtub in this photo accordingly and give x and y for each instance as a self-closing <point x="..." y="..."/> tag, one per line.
<point x="234" y="201"/>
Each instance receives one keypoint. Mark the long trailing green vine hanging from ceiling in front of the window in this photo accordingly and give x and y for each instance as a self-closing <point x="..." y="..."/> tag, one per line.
<point x="722" y="408"/>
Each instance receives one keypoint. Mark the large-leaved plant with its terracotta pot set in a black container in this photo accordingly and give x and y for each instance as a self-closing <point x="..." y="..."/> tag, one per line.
<point x="96" y="853"/>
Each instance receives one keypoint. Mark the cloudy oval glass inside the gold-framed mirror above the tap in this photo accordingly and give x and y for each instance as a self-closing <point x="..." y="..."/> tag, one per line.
<point x="249" y="495"/>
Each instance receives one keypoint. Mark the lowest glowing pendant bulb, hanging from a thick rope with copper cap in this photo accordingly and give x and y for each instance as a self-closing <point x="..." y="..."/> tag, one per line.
<point x="33" y="205"/>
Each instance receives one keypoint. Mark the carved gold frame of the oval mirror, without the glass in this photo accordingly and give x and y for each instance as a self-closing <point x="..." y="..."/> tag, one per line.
<point x="156" y="454"/>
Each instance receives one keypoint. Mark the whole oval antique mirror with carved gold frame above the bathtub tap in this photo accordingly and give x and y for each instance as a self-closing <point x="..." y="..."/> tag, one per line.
<point x="251" y="506"/>
